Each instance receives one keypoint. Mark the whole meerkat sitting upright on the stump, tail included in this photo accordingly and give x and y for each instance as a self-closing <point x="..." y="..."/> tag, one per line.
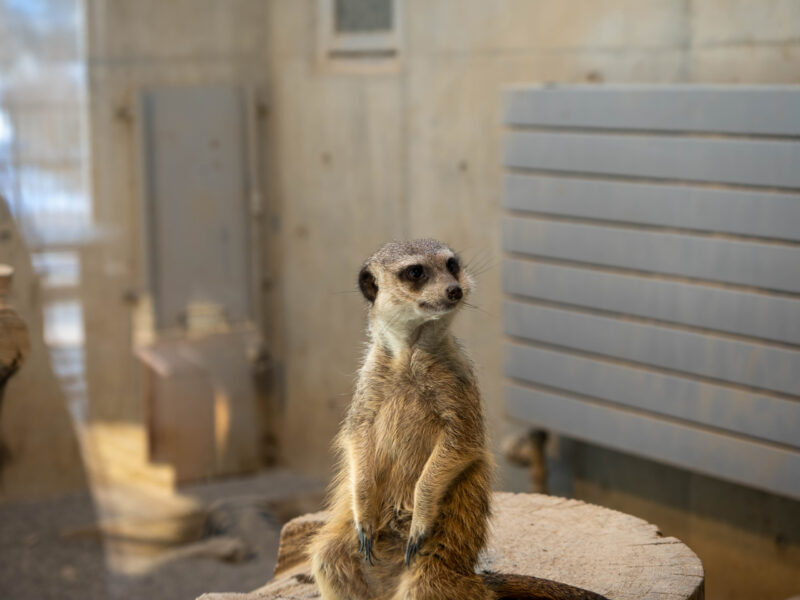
<point x="410" y="502"/>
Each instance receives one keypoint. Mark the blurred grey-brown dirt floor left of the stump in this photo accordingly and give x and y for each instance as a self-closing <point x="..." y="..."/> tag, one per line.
<point x="52" y="549"/>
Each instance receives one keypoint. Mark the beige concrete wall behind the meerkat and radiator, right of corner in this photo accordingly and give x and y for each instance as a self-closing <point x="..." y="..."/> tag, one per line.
<point x="360" y="158"/>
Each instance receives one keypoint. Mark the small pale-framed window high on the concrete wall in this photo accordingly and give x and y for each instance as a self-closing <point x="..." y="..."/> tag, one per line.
<point x="359" y="32"/>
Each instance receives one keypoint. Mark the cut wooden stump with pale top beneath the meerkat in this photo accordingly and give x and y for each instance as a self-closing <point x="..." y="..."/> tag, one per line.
<point x="602" y="550"/>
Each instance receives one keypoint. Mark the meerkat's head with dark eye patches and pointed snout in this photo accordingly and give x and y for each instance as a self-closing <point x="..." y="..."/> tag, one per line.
<point x="411" y="283"/>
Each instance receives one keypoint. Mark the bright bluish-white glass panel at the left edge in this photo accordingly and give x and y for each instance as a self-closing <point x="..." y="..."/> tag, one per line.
<point x="43" y="170"/>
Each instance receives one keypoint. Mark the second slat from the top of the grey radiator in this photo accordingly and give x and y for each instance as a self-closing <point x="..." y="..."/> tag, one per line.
<point x="740" y="161"/>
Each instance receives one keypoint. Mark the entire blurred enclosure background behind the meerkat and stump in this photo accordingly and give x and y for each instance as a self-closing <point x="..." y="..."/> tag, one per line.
<point x="188" y="188"/>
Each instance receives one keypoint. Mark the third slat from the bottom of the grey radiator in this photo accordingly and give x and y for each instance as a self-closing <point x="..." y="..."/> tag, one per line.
<point x="750" y="364"/>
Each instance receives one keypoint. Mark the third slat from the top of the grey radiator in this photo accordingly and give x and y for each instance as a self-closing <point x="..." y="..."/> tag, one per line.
<point x="765" y="214"/>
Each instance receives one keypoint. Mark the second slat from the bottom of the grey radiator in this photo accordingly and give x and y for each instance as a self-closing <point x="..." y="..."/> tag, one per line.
<point x="758" y="415"/>
